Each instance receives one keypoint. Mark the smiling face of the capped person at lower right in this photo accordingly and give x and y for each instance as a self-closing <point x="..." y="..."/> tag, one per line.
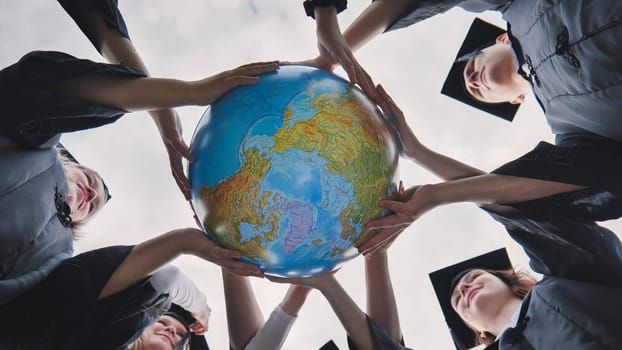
<point x="479" y="297"/>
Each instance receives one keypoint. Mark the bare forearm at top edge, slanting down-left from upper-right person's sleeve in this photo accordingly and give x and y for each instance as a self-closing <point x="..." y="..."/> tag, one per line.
<point x="374" y="20"/>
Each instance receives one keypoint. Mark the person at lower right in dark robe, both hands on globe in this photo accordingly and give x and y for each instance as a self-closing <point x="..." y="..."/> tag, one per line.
<point x="548" y="219"/>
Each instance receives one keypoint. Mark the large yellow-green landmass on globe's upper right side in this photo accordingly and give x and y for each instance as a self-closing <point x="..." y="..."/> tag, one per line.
<point x="350" y="137"/>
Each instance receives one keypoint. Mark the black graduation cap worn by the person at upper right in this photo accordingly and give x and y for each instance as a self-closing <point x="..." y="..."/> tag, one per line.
<point x="481" y="34"/>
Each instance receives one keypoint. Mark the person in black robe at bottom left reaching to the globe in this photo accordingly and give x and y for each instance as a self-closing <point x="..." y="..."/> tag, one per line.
<point x="105" y="298"/>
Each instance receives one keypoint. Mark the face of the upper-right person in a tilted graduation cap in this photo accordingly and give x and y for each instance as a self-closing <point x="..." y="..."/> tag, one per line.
<point x="492" y="76"/>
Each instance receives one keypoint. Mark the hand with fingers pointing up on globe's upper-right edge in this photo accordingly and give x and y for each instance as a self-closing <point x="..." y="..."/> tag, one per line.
<point x="409" y="144"/>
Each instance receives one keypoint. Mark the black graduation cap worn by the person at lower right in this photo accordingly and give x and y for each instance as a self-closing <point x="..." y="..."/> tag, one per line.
<point x="445" y="280"/>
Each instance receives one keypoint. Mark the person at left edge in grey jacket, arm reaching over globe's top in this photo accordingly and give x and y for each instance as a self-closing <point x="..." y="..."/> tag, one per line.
<point x="44" y="95"/>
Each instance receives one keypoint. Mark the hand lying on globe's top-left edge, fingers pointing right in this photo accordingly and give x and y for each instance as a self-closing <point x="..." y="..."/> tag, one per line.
<point x="208" y="90"/>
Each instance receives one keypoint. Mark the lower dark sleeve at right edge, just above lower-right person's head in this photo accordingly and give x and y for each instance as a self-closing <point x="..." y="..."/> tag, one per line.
<point x="560" y="245"/>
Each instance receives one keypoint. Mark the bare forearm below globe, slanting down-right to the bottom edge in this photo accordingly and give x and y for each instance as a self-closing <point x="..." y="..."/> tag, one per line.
<point x="352" y="318"/>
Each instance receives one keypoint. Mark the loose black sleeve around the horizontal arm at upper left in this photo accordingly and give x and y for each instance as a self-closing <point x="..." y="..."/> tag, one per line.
<point x="32" y="113"/>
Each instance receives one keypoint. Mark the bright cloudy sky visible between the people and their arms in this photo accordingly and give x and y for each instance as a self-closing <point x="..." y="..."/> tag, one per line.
<point x="192" y="39"/>
